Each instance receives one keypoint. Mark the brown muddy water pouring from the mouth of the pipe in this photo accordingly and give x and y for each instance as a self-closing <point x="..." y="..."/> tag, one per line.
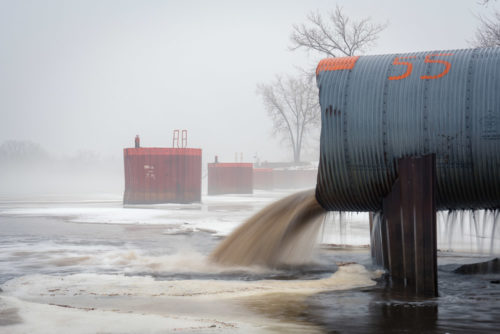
<point x="284" y="232"/>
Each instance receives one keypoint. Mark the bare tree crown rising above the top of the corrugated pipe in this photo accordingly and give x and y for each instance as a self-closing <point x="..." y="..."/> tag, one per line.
<point x="337" y="35"/>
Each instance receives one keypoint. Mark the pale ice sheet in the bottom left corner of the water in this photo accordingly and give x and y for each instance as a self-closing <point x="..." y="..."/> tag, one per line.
<point x="29" y="317"/>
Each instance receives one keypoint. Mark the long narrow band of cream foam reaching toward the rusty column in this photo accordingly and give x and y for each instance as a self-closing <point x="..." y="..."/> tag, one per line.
<point x="41" y="287"/>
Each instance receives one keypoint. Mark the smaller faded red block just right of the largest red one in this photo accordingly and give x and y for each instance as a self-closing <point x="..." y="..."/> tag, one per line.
<point x="230" y="178"/>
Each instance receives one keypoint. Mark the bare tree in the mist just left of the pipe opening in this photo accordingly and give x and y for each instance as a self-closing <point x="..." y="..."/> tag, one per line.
<point x="292" y="103"/>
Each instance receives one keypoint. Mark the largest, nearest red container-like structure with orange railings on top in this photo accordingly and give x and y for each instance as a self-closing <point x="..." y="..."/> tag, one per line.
<point x="162" y="175"/>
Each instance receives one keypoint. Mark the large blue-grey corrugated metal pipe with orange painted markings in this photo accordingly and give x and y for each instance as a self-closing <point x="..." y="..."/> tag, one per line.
<point x="381" y="108"/>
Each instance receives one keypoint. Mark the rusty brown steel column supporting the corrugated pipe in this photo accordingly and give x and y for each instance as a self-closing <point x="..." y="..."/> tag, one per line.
<point x="409" y="226"/>
